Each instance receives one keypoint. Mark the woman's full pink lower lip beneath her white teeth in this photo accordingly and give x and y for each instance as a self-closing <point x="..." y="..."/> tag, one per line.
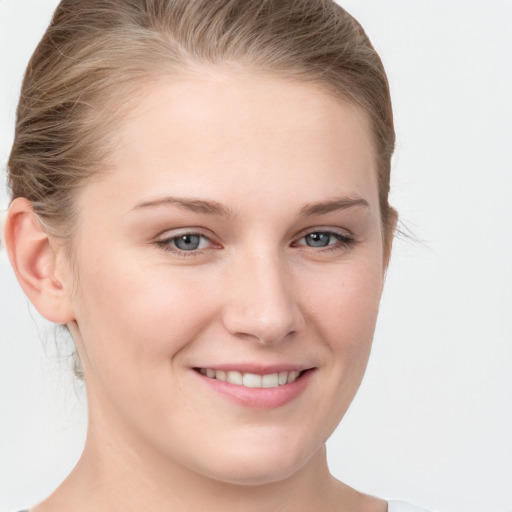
<point x="259" y="398"/>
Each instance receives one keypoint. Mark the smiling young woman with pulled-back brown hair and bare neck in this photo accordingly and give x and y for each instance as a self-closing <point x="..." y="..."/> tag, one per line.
<point x="200" y="194"/>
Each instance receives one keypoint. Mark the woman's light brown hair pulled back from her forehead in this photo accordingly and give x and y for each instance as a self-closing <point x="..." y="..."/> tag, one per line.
<point x="95" y="53"/>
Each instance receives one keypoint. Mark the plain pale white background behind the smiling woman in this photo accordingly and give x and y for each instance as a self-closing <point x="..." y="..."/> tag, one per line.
<point x="432" y="423"/>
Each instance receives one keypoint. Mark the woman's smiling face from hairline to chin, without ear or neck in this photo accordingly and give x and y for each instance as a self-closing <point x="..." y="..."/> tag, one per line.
<point x="229" y="268"/>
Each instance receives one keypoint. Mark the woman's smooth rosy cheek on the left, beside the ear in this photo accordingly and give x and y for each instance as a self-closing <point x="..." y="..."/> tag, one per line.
<point x="134" y="316"/>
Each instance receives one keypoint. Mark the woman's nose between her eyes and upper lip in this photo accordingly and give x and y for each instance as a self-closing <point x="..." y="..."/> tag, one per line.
<point x="262" y="300"/>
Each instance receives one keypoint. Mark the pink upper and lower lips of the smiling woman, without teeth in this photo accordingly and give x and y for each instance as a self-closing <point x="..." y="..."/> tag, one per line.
<point x="259" y="398"/>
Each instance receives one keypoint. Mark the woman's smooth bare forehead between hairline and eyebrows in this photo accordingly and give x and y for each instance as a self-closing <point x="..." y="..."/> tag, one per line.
<point x="213" y="132"/>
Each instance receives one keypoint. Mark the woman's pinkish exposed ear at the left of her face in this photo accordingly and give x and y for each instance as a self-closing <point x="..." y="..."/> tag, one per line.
<point x="38" y="263"/>
